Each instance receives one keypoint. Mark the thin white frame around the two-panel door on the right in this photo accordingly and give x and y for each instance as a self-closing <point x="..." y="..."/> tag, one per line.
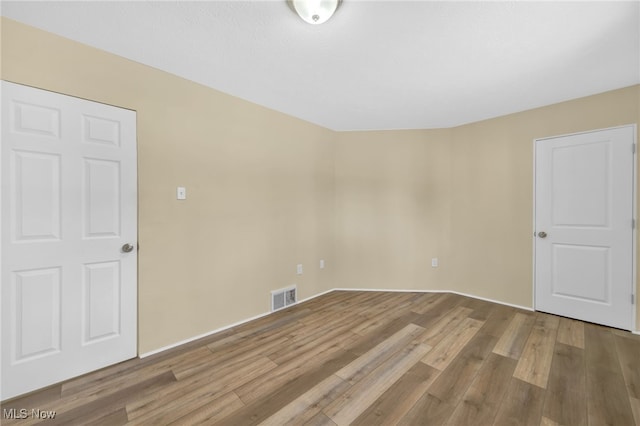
<point x="634" y="283"/>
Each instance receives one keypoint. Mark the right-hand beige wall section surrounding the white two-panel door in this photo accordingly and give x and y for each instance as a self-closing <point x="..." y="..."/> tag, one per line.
<point x="492" y="190"/>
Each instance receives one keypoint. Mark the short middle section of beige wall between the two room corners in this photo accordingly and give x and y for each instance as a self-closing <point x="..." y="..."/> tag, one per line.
<point x="392" y="208"/>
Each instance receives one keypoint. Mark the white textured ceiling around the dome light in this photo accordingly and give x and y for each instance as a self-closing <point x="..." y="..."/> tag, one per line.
<point x="376" y="64"/>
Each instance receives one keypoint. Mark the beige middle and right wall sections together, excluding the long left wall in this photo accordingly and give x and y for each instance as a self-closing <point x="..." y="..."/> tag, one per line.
<point x="464" y="195"/>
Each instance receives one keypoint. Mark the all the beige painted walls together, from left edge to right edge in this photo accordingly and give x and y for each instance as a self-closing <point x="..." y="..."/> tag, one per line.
<point x="267" y="191"/>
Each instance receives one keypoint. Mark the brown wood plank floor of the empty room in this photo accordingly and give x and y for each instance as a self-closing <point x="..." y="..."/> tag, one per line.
<point x="369" y="358"/>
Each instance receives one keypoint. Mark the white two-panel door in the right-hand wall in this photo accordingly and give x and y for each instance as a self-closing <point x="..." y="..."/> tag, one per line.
<point x="584" y="232"/>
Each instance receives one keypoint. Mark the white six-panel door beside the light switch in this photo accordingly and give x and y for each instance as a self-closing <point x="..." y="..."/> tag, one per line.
<point x="68" y="206"/>
